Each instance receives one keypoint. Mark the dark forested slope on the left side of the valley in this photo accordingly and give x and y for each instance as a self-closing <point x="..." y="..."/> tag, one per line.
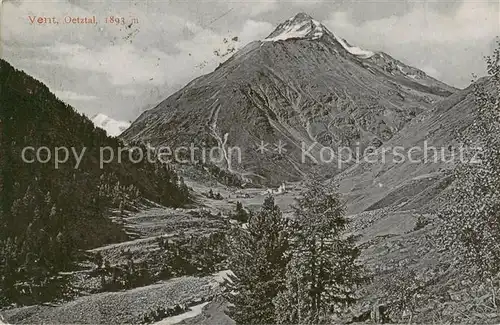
<point x="48" y="215"/>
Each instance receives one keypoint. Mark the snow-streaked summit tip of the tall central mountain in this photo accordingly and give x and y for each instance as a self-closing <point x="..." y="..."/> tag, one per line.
<point x="299" y="26"/>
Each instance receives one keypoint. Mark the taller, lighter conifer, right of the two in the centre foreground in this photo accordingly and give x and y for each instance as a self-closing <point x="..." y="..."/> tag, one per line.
<point x="323" y="274"/>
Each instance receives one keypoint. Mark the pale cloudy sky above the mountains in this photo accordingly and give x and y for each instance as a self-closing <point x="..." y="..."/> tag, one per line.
<point x="122" y="69"/>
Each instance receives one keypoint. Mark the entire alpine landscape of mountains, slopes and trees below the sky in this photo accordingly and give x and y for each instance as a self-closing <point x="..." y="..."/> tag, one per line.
<point x="166" y="244"/>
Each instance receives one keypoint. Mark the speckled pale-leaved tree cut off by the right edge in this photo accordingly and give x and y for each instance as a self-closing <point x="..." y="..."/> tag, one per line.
<point x="471" y="222"/>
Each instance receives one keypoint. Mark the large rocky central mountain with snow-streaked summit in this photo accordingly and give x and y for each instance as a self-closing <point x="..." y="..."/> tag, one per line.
<point x="300" y="86"/>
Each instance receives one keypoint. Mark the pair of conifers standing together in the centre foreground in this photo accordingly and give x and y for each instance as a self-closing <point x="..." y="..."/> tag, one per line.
<point x="301" y="270"/>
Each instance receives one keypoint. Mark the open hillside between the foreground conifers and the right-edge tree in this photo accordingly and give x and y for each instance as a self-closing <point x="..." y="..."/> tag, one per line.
<point x="393" y="206"/>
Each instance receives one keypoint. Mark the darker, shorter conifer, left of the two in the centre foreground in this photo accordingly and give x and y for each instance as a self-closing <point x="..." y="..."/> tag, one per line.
<point x="258" y="262"/>
